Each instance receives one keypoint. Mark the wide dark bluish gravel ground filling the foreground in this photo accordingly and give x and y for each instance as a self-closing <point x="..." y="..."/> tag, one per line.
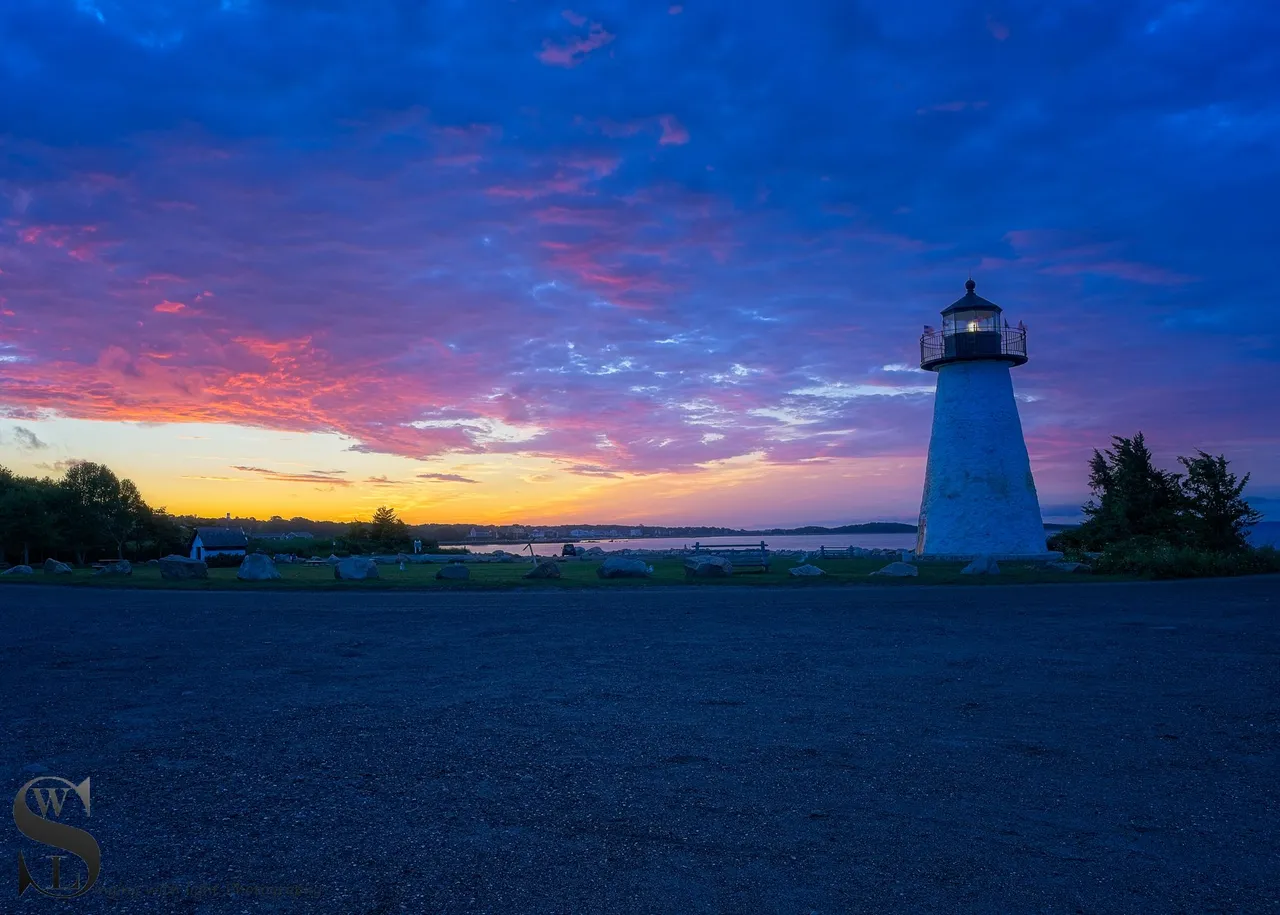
<point x="1031" y="749"/>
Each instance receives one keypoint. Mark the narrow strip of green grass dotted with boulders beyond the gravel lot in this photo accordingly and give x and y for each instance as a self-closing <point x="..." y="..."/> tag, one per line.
<point x="575" y="575"/>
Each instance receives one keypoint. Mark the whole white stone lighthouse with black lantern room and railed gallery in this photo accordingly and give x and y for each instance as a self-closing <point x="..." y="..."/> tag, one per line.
<point x="980" y="497"/>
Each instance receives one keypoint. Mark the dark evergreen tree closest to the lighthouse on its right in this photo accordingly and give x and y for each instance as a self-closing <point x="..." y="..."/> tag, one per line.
<point x="1131" y="496"/>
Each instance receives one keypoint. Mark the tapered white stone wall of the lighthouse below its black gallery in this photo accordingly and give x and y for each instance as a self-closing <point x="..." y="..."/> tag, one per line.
<point x="980" y="496"/>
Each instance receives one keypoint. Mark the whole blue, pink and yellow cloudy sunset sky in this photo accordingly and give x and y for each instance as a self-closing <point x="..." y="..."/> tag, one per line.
<point x="505" y="260"/>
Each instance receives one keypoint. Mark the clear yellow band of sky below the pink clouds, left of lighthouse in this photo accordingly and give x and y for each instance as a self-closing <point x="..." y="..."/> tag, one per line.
<point x="212" y="469"/>
